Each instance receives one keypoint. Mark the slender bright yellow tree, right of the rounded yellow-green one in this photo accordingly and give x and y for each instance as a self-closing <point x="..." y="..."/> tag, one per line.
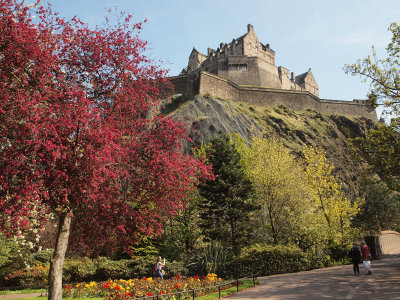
<point x="335" y="211"/>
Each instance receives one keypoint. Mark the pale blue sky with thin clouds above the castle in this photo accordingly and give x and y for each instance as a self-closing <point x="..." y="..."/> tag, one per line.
<point x="317" y="34"/>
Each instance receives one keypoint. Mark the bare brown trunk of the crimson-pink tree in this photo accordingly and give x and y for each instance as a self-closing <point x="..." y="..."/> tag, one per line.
<point x="57" y="261"/>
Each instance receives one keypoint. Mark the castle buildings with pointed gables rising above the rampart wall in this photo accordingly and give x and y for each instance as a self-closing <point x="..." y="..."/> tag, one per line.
<point x="246" y="61"/>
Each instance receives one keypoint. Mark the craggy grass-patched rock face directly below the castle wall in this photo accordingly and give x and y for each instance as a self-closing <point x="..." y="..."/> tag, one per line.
<point x="207" y="117"/>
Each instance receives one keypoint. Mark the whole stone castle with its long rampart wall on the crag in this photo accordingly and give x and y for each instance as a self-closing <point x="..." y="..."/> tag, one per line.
<point x="244" y="70"/>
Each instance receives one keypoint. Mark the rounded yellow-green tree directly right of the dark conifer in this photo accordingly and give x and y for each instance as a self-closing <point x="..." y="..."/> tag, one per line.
<point x="281" y="192"/>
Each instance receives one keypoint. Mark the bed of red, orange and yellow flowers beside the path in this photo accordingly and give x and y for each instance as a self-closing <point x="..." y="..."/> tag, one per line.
<point x="136" y="288"/>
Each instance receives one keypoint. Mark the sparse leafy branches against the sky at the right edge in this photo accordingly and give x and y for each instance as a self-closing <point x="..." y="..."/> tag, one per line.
<point x="383" y="74"/>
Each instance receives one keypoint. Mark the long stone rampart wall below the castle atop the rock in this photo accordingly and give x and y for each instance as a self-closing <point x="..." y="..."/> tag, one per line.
<point x="207" y="83"/>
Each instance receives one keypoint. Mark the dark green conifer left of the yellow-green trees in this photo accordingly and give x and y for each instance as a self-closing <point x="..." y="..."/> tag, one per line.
<point x="226" y="202"/>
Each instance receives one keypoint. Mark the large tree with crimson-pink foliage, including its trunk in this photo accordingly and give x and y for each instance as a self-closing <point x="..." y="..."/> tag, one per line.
<point x="79" y="140"/>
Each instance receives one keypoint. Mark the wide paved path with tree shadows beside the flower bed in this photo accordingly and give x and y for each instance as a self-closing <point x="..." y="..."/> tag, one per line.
<point x="332" y="283"/>
